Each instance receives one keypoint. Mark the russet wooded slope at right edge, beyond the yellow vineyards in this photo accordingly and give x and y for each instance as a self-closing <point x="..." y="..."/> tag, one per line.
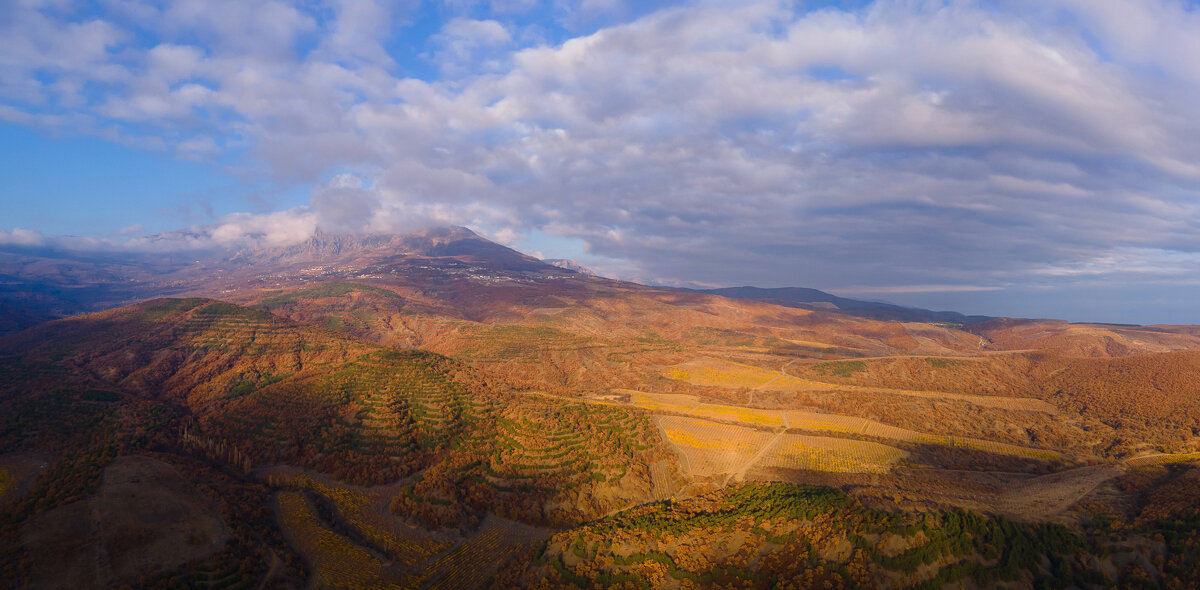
<point x="1133" y="401"/>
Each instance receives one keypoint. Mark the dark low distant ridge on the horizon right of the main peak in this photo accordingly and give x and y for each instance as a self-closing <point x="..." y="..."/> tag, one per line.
<point x="813" y="299"/>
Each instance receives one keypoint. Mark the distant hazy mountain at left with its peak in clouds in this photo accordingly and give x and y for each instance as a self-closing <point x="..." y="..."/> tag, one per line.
<point x="46" y="284"/>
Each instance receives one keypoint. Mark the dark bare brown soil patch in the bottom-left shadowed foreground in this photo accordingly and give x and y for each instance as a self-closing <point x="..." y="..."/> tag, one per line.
<point x="146" y="519"/>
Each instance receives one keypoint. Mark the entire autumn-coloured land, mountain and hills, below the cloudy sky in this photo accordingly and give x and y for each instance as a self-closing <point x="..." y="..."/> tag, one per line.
<point x="435" y="411"/>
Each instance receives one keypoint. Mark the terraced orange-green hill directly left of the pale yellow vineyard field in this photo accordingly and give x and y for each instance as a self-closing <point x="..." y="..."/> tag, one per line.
<point x="538" y="462"/>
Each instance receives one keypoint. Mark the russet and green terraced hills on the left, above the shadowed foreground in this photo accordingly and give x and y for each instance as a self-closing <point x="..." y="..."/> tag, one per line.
<point x="257" y="389"/>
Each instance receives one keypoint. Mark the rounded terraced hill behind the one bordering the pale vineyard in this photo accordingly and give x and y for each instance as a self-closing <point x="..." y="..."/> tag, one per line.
<point x="373" y="422"/>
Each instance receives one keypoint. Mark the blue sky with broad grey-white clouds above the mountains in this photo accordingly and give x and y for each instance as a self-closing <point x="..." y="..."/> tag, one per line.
<point x="1025" y="158"/>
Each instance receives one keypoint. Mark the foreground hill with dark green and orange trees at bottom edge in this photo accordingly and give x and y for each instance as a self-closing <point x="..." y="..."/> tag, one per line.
<point x="796" y="537"/>
